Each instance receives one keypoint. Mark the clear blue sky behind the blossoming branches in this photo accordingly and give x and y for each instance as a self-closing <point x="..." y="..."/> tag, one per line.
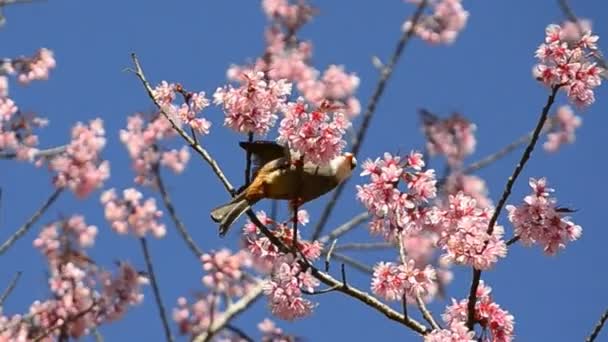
<point x="486" y="75"/>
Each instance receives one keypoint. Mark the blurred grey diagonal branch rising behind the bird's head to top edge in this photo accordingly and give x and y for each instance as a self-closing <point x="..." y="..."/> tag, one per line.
<point x="386" y="73"/>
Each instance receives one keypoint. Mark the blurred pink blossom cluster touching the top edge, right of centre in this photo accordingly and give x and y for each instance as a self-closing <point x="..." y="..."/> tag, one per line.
<point x="444" y="25"/>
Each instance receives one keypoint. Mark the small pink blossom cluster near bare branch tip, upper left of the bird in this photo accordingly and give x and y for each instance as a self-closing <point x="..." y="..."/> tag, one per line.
<point x="187" y="112"/>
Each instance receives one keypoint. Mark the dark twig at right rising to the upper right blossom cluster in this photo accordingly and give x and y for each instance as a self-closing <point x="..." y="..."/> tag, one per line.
<point x="525" y="157"/>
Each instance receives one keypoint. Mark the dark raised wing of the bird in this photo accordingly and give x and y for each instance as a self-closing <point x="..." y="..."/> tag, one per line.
<point x="266" y="152"/>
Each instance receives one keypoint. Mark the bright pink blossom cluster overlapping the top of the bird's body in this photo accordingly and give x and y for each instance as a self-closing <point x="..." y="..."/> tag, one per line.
<point x="318" y="135"/>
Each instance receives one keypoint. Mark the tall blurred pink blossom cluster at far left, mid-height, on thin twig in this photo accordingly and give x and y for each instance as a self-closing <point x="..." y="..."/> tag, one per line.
<point x="80" y="168"/>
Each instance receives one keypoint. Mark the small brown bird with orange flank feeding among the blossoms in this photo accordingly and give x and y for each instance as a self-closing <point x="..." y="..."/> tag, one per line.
<point x="277" y="177"/>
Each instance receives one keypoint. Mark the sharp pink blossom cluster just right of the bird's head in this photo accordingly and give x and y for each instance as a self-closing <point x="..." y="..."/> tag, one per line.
<point x="394" y="210"/>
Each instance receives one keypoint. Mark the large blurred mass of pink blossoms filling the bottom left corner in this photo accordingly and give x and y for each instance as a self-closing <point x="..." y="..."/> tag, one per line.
<point x="82" y="295"/>
